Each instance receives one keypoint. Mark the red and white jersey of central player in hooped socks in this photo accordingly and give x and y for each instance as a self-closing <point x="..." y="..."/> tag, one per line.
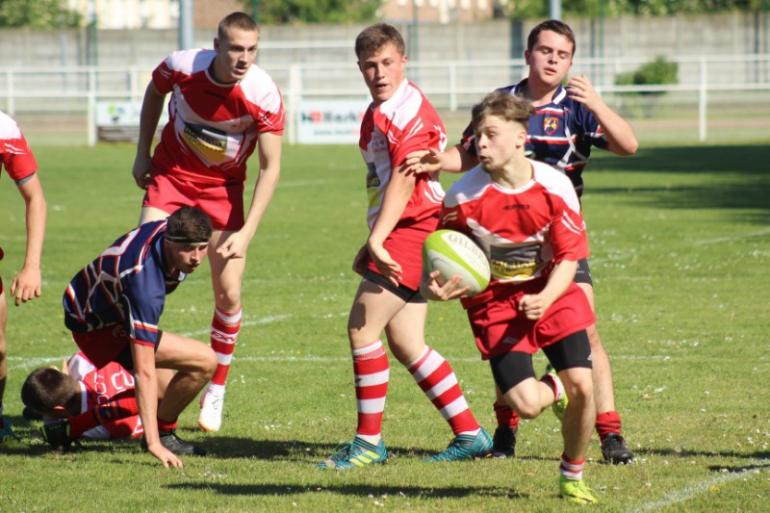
<point x="404" y="123"/>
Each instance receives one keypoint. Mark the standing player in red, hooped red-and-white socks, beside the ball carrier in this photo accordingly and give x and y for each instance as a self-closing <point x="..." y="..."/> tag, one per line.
<point x="402" y="211"/>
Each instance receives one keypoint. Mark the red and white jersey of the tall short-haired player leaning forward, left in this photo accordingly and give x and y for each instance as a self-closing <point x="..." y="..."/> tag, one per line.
<point x="212" y="127"/>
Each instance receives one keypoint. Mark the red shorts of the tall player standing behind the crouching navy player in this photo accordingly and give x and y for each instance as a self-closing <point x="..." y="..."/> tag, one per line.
<point x="223" y="203"/>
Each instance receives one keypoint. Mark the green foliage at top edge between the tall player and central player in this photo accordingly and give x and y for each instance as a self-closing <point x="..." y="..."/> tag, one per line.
<point x="314" y="11"/>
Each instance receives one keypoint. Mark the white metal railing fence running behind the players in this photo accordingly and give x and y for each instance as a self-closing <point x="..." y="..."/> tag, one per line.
<point x="716" y="96"/>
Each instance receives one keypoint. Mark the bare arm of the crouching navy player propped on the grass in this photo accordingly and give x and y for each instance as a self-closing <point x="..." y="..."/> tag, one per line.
<point x="147" y="399"/>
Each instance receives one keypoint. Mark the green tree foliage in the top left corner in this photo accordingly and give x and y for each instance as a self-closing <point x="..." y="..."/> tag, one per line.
<point x="37" y="14"/>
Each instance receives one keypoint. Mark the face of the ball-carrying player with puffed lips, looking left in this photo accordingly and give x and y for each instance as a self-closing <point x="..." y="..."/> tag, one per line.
<point x="498" y="140"/>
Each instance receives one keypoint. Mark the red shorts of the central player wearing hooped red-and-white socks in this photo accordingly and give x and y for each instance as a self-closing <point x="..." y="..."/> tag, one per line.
<point x="405" y="247"/>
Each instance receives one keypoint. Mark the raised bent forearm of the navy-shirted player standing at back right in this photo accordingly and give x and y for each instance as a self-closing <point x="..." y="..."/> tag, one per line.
<point x="620" y="136"/>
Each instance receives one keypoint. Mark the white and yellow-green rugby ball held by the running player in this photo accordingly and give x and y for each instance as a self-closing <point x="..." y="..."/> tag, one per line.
<point x="453" y="253"/>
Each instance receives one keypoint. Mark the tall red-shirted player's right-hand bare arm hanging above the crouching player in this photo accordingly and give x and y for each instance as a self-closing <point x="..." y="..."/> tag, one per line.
<point x="237" y="243"/>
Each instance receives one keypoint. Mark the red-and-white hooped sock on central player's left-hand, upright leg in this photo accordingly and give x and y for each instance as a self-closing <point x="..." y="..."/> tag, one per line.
<point x="372" y="373"/>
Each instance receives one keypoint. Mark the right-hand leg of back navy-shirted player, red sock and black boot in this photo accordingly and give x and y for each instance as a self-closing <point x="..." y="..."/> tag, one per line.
<point x="608" y="423"/>
